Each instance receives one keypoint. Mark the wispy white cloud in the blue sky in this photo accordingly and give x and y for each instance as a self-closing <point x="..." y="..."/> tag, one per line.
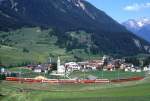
<point x="137" y="7"/>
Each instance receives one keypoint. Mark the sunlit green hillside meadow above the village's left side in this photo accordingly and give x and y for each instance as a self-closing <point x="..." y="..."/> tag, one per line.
<point x="29" y="45"/>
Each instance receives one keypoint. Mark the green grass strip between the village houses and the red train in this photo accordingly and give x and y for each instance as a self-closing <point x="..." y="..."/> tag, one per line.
<point x="27" y="73"/>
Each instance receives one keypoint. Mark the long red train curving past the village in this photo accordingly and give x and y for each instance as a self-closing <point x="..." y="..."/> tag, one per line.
<point x="71" y="81"/>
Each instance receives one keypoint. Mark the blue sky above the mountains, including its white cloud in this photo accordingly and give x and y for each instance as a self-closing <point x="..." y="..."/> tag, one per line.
<point x="122" y="10"/>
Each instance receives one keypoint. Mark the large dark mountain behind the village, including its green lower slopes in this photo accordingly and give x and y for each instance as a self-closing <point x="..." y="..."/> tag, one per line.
<point x="77" y="27"/>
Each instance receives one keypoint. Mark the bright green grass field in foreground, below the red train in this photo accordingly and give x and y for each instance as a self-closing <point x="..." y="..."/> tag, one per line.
<point x="130" y="91"/>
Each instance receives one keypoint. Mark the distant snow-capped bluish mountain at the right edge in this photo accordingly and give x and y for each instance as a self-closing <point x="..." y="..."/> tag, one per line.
<point x="140" y="27"/>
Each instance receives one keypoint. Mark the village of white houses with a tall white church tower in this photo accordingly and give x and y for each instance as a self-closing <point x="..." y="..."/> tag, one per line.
<point x="104" y="64"/>
